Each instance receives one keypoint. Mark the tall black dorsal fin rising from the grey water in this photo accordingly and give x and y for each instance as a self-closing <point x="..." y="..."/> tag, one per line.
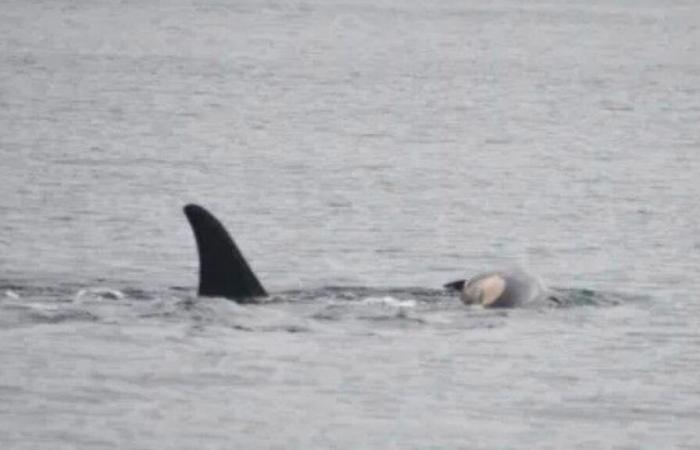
<point x="223" y="271"/>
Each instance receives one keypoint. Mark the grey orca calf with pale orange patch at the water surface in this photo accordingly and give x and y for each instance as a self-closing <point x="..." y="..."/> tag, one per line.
<point x="501" y="289"/>
